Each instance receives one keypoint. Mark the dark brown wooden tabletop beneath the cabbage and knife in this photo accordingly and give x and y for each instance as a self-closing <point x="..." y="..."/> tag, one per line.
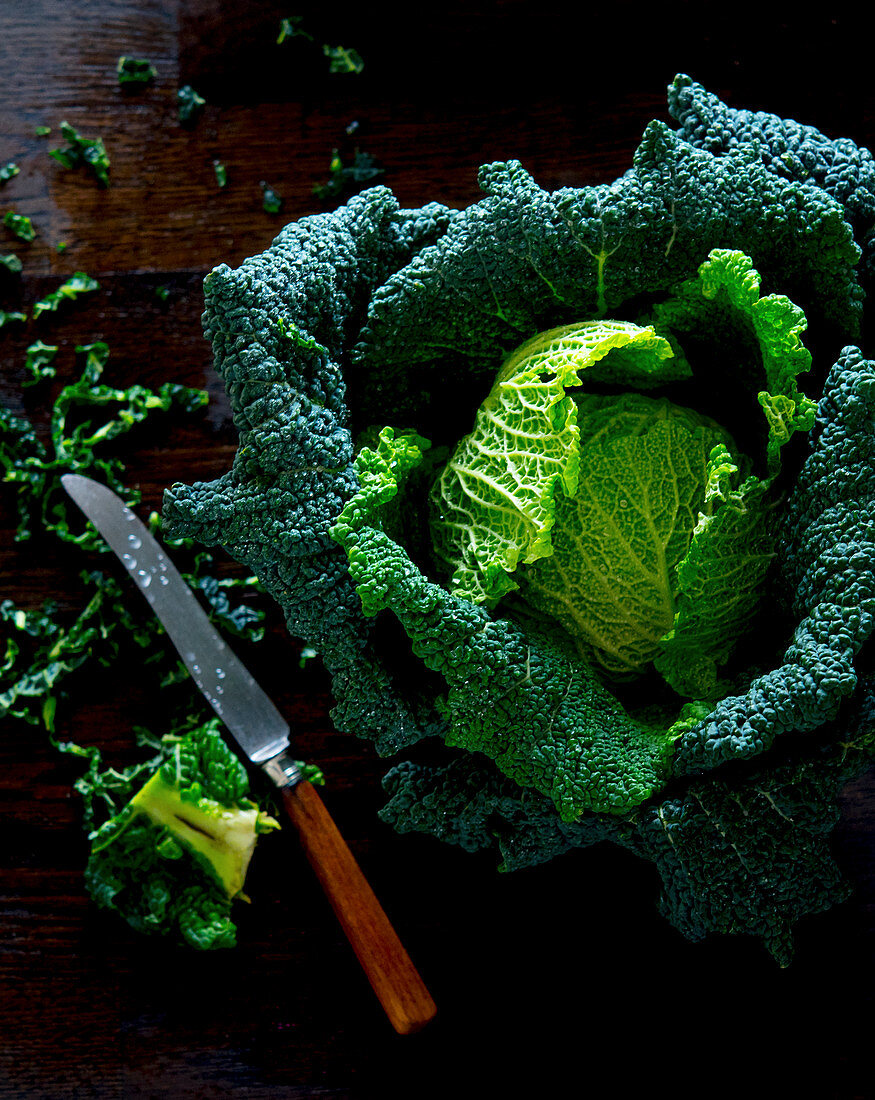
<point x="563" y="974"/>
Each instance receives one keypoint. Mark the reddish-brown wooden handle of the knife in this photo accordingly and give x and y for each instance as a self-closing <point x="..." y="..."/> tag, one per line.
<point x="395" y="980"/>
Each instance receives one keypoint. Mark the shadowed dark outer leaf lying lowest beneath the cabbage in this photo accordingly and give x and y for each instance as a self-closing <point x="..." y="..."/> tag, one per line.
<point x="745" y="853"/>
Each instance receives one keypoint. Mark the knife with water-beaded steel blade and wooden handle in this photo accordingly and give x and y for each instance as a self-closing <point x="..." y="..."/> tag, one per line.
<point x="262" y="734"/>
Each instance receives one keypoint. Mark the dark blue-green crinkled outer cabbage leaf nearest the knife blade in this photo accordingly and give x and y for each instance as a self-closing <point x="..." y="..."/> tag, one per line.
<point x="278" y="327"/>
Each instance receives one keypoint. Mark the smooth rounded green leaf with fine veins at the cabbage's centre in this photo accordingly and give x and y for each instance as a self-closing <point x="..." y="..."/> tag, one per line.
<point x="611" y="581"/>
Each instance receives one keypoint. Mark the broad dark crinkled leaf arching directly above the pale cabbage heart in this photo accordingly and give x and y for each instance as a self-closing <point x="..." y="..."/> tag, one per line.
<point x="523" y="260"/>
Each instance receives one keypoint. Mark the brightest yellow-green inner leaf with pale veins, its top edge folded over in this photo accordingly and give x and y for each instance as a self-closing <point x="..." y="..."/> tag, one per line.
<point x="494" y="505"/>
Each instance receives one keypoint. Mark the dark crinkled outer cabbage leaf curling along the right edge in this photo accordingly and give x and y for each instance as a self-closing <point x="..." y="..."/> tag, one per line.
<point x="828" y="559"/>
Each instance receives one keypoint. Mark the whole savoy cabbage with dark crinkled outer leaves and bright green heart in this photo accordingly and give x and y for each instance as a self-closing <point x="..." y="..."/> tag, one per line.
<point x="555" y="481"/>
